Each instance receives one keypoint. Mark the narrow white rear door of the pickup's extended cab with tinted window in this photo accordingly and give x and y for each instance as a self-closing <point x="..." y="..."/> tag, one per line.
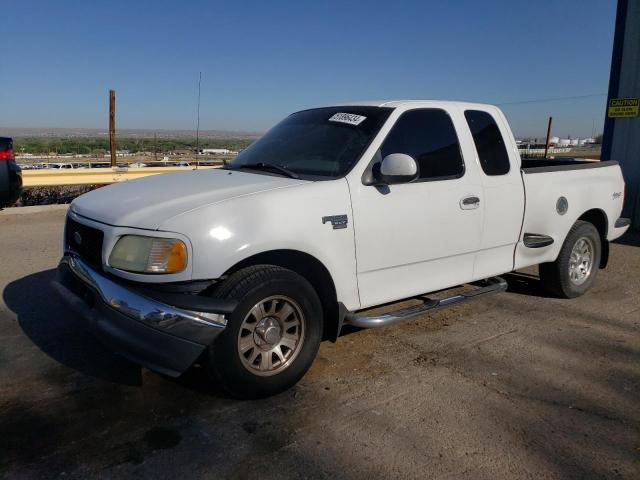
<point x="497" y="155"/>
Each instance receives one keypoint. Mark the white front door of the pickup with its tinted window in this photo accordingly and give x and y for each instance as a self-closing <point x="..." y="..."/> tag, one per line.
<point x="421" y="236"/>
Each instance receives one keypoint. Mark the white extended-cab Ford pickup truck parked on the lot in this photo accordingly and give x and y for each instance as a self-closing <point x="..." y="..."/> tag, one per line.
<point x="245" y="269"/>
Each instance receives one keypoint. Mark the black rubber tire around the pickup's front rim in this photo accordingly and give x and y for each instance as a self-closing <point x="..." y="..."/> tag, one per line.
<point x="250" y="286"/>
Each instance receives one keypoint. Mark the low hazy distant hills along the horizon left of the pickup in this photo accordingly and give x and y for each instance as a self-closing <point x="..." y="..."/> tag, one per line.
<point x="18" y="132"/>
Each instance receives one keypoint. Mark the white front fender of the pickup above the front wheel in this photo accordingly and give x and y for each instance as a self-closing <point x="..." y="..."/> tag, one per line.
<point x="226" y="233"/>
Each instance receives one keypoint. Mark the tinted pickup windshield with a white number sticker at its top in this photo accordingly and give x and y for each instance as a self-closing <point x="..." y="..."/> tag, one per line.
<point x="323" y="143"/>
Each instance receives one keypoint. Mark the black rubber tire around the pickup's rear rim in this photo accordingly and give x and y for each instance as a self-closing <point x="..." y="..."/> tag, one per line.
<point x="555" y="276"/>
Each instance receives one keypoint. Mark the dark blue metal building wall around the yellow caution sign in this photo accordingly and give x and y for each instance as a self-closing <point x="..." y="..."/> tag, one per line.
<point x="621" y="138"/>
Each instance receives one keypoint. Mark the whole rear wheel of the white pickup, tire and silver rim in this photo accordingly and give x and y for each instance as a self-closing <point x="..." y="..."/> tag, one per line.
<point x="575" y="269"/>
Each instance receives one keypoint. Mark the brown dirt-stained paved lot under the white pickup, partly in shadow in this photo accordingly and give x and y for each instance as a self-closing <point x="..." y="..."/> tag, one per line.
<point x="517" y="385"/>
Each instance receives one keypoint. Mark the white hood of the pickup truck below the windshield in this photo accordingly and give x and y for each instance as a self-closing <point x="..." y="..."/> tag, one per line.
<point x="147" y="202"/>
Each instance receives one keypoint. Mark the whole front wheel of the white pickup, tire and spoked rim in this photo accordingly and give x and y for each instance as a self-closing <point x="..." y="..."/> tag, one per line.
<point x="272" y="337"/>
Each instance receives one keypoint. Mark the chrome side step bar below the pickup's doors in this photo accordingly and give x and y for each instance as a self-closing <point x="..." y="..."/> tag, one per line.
<point x="491" y="285"/>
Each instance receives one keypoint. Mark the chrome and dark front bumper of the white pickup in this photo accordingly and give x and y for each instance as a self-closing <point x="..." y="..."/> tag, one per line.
<point x="149" y="332"/>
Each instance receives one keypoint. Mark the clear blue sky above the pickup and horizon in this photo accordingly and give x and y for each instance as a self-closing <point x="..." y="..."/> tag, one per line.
<point x="262" y="60"/>
